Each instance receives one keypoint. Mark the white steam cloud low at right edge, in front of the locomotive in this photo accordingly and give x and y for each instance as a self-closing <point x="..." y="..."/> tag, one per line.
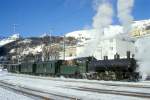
<point x="143" y="56"/>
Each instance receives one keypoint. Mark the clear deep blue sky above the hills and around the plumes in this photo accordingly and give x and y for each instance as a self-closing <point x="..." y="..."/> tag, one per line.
<point x="34" y="17"/>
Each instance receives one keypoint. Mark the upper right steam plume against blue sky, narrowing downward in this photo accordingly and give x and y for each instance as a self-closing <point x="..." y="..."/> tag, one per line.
<point x="124" y="8"/>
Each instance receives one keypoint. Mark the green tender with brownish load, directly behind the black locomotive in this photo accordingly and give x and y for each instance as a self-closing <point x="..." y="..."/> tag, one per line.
<point x="76" y="67"/>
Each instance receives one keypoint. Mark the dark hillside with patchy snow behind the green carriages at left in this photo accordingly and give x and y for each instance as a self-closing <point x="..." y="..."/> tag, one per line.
<point x="14" y="48"/>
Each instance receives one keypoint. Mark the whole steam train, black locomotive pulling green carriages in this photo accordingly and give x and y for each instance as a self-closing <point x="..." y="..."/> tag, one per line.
<point x="84" y="67"/>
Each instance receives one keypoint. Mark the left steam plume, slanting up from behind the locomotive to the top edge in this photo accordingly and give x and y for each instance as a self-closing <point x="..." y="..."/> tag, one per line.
<point x="102" y="19"/>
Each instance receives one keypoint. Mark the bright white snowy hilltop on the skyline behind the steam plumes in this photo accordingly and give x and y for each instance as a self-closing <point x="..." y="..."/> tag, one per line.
<point x="112" y="30"/>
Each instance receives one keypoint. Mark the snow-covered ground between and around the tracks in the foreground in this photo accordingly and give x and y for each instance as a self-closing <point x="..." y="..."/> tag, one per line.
<point x="70" y="87"/>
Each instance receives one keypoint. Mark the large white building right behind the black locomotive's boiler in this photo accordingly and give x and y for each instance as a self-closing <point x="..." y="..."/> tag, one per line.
<point x="109" y="47"/>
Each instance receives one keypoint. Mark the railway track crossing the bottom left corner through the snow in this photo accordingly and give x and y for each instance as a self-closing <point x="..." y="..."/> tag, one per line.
<point x="34" y="93"/>
